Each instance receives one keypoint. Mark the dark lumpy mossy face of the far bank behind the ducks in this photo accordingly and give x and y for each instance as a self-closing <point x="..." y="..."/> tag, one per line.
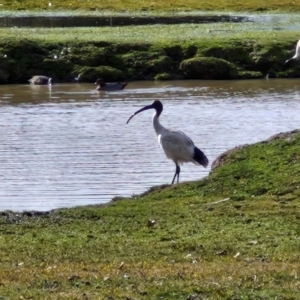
<point x="215" y="59"/>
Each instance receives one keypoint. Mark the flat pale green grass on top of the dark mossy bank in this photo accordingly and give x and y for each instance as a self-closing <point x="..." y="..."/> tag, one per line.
<point x="151" y="34"/>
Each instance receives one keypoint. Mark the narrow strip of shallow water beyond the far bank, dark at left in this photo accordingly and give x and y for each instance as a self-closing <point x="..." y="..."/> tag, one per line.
<point x="218" y="20"/>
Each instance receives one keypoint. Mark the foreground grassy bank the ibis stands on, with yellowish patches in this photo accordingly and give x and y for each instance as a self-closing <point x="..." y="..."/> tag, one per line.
<point x="246" y="247"/>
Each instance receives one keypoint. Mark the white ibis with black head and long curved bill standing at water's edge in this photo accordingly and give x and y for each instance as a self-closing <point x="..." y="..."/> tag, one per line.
<point x="176" y="145"/>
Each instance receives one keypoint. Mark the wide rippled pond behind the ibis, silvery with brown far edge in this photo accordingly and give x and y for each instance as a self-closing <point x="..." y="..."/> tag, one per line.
<point x="67" y="145"/>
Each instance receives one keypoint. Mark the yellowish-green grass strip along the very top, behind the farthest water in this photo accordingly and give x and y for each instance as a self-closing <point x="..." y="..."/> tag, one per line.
<point x="157" y="6"/>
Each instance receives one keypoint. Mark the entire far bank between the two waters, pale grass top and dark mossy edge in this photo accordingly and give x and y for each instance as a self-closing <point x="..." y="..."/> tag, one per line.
<point x="190" y="51"/>
